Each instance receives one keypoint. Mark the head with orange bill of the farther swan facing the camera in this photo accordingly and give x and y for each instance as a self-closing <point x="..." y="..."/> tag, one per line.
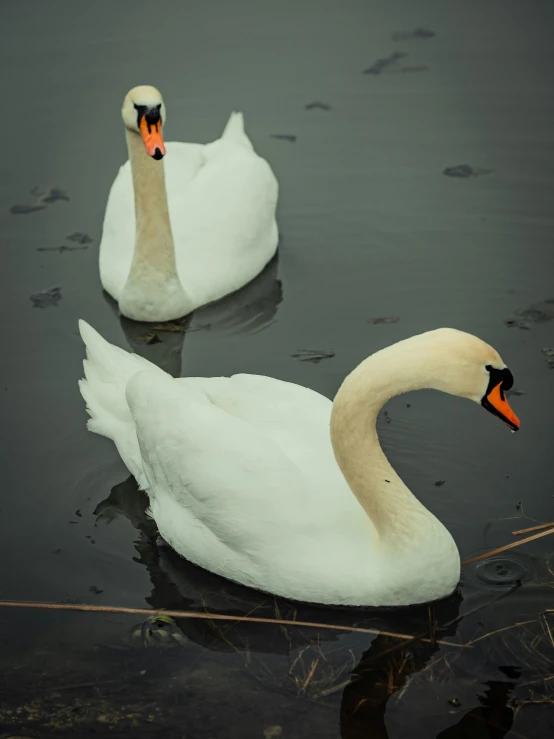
<point x="143" y="112"/>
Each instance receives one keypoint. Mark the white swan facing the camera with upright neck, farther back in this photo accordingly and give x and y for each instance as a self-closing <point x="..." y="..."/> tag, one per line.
<point x="163" y="254"/>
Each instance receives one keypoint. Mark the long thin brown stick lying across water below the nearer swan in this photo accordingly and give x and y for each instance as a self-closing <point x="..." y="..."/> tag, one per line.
<point x="210" y="616"/>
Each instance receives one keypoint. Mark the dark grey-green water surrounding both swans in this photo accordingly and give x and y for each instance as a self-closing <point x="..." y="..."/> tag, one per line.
<point x="371" y="228"/>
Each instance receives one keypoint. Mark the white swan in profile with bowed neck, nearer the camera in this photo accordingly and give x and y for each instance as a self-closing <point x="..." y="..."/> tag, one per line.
<point x="242" y="478"/>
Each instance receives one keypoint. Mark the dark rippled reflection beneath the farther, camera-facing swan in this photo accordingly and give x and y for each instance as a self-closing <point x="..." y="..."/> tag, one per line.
<point x="245" y="311"/>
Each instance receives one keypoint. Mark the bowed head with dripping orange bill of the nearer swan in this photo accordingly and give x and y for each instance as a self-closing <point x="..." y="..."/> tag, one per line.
<point x="462" y="364"/>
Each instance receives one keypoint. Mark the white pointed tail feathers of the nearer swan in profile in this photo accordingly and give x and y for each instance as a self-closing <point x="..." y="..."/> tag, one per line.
<point x="107" y="370"/>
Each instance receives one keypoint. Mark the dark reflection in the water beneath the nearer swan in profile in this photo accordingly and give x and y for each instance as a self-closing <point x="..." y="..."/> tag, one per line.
<point x="319" y="662"/>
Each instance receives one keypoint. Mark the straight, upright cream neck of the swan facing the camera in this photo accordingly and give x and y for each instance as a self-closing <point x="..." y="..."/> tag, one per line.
<point x="154" y="248"/>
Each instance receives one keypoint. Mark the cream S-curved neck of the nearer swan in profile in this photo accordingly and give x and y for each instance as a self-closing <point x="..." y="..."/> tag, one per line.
<point x="393" y="509"/>
